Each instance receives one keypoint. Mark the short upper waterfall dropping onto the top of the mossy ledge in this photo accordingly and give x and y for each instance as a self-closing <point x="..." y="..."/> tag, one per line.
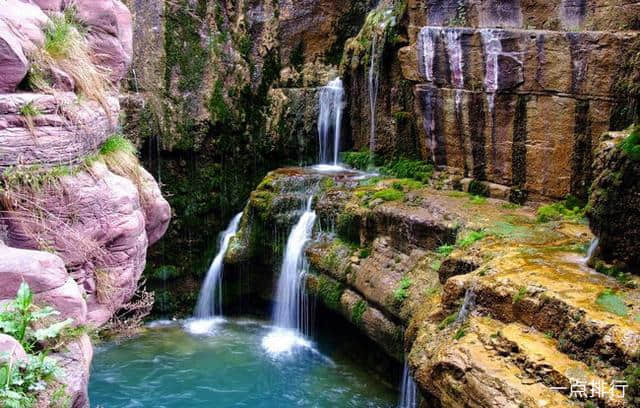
<point x="330" y="117"/>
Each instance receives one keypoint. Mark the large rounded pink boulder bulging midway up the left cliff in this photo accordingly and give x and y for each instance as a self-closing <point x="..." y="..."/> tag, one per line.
<point x="105" y="247"/>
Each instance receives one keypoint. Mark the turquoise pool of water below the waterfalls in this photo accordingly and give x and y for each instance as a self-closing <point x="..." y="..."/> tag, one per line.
<point x="227" y="367"/>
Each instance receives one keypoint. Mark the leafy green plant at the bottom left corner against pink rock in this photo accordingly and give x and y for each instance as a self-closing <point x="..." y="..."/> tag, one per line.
<point x="21" y="381"/>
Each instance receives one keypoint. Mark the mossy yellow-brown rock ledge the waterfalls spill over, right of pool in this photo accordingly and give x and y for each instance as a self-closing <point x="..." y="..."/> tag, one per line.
<point x="492" y="303"/>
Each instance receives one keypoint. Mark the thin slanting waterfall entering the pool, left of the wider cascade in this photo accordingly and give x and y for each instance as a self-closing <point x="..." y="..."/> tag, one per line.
<point x="208" y="304"/>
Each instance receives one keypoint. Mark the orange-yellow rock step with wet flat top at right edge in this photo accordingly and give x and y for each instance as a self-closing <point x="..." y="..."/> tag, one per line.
<point x="556" y="294"/>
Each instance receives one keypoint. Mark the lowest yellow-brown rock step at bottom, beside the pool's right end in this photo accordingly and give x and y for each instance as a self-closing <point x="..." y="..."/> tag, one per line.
<point x="465" y="366"/>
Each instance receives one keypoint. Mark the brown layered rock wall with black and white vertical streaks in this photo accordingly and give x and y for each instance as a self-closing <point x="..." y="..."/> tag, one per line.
<point x="517" y="94"/>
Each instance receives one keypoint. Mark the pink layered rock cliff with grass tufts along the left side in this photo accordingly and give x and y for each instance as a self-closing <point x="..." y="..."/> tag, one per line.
<point x="77" y="211"/>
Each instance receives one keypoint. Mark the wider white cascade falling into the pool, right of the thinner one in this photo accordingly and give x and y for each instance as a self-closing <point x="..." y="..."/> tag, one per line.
<point x="290" y="315"/>
